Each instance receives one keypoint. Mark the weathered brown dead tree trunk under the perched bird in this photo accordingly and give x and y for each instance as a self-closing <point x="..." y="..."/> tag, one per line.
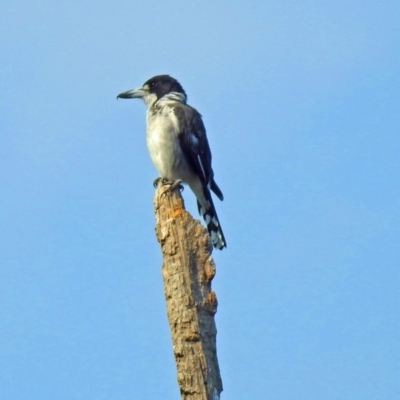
<point x="188" y="270"/>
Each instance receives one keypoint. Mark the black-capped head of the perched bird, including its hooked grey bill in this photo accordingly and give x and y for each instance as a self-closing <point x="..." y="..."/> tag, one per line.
<point x="156" y="88"/>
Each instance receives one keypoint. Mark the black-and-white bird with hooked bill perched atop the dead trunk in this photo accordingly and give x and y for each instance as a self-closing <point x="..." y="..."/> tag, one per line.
<point x="178" y="146"/>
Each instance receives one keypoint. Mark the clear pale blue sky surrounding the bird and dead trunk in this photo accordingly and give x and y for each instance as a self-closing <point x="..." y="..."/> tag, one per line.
<point x="301" y="101"/>
